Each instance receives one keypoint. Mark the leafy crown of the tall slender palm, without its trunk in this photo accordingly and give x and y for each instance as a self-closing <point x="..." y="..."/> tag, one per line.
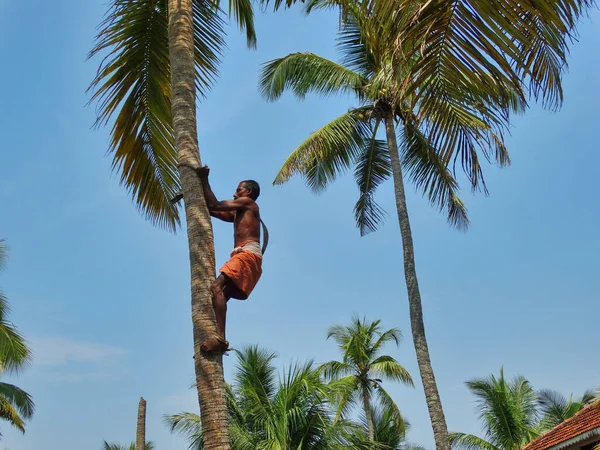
<point x="351" y="140"/>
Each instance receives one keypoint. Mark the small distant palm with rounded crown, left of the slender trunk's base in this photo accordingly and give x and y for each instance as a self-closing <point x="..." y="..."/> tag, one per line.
<point x="359" y="375"/>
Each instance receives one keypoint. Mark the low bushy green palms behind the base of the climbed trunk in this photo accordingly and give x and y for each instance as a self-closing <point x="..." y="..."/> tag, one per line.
<point x="266" y="413"/>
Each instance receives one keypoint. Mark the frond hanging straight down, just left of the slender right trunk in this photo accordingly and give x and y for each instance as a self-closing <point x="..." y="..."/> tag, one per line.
<point x="373" y="167"/>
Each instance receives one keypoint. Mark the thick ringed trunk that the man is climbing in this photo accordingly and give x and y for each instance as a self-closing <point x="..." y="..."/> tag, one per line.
<point x="209" y="369"/>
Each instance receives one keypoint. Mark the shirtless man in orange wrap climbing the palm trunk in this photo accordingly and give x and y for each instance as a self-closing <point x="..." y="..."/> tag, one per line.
<point x="241" y="273"/>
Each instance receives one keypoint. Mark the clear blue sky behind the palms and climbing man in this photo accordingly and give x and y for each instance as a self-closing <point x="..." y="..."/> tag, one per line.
<point x="103" y="297"/>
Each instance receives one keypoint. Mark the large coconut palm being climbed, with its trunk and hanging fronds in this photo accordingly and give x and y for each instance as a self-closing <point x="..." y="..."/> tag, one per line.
<point x="159" y="56"/>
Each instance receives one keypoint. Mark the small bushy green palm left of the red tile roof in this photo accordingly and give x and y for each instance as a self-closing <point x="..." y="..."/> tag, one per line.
<point x="508" y="411"/>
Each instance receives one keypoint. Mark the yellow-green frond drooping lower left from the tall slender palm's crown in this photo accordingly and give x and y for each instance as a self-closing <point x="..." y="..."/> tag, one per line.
<point x="329" y="151"/>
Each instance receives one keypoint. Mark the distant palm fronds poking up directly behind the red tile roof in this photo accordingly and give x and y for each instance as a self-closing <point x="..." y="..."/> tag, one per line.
<point x="556" y="408"/>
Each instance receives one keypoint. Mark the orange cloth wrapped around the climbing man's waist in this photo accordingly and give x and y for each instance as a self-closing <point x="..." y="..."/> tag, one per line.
<point x="245" y="267"/>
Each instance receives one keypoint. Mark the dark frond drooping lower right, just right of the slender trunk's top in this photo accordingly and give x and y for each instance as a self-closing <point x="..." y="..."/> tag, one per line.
<point x="425" y="168"/>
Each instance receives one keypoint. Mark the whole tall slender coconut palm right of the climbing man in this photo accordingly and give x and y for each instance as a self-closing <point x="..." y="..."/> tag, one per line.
<point x="352" y="140"/>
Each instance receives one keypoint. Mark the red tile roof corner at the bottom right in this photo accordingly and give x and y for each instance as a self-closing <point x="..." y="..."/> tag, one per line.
<point x="585" y="420"/>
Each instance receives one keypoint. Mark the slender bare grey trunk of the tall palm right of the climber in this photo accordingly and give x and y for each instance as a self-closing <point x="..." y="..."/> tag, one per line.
<point x="434" y="403"/>
